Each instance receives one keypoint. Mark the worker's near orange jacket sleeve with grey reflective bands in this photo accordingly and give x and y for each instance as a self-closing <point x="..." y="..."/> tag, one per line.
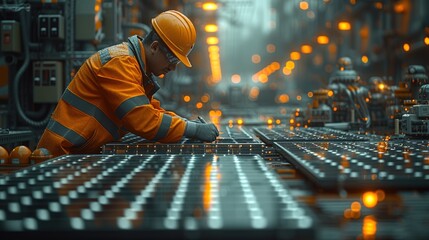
<point x="120" y="81"/>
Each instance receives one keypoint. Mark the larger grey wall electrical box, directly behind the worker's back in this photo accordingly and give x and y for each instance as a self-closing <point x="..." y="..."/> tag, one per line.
<point x="48" y="81"/>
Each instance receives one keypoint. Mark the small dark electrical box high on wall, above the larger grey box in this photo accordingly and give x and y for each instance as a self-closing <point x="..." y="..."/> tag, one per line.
<point x="51" y="26"/>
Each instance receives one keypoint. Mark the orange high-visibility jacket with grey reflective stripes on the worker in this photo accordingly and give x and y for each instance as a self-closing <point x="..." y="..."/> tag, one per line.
<point x="107" y="98"/>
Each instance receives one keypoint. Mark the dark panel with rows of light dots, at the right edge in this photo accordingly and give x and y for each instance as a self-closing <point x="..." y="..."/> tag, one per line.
<point x="352" y="165"/>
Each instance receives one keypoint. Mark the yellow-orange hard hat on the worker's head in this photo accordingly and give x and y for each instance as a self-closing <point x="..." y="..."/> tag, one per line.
<point x="177" y="32"/>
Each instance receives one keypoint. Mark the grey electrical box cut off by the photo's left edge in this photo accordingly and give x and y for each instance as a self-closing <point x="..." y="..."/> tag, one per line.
<point x="10" y="36"/>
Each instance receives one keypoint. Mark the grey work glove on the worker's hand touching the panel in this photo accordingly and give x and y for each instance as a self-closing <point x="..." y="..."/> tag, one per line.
<point x="206" y="132"/>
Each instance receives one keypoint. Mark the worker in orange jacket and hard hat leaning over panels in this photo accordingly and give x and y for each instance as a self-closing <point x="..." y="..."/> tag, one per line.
<point x="112" y="93"/>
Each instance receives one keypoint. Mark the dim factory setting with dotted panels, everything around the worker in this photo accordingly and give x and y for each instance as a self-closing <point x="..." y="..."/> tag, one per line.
<point x="322" y="105"/>
